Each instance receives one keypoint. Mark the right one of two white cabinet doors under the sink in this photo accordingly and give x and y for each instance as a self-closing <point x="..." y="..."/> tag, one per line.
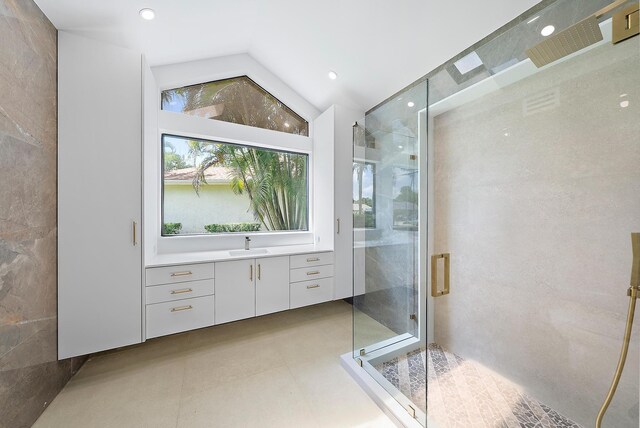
<point x="272" y="285"/>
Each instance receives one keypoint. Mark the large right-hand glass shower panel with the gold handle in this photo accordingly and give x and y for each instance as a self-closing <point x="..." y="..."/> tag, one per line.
<point x="536" y="191"/>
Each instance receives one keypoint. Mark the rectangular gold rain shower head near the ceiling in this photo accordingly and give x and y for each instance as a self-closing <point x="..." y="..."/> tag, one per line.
<point x="577" y="37"/>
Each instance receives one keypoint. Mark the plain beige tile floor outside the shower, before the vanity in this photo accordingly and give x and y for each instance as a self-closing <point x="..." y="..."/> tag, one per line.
<point x="280" y="370"/>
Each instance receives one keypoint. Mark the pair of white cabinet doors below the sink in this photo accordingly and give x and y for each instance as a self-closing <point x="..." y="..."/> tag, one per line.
<point x="246" y="288"/>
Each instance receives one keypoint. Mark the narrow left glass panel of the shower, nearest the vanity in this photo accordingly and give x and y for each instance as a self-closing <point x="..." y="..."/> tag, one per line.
<point x="389" y="302"/>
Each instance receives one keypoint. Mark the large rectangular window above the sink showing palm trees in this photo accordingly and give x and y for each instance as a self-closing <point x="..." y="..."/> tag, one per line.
<point x="214" y="187"/>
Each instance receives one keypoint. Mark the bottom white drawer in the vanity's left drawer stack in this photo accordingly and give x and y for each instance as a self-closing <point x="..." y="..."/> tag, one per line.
<point x="182" y="315"/>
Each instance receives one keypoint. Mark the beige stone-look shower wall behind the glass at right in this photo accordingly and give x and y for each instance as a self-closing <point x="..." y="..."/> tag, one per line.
<point x="537" y="189"/>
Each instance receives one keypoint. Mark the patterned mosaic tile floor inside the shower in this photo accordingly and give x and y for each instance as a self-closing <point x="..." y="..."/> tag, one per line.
<point x="464" y="394"/>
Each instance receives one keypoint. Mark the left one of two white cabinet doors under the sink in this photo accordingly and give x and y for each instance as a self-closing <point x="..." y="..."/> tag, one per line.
<point x="235" y="290"/>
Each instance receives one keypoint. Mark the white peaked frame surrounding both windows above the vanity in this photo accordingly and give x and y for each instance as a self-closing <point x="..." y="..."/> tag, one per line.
<point x="180" y="124"/>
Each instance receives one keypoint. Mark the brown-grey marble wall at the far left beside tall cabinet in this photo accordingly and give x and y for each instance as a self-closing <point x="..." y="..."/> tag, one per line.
<point x="30" y="375"/>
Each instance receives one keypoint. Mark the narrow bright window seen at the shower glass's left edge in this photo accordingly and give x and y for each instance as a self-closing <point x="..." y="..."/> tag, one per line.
<point x="364" y="204"/>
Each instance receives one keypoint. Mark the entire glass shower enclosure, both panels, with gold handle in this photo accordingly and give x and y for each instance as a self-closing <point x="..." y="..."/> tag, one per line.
<point x="494" y="202"/>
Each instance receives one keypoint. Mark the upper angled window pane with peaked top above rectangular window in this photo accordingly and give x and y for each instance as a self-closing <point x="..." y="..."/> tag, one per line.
<point x="237" y="100"/>
